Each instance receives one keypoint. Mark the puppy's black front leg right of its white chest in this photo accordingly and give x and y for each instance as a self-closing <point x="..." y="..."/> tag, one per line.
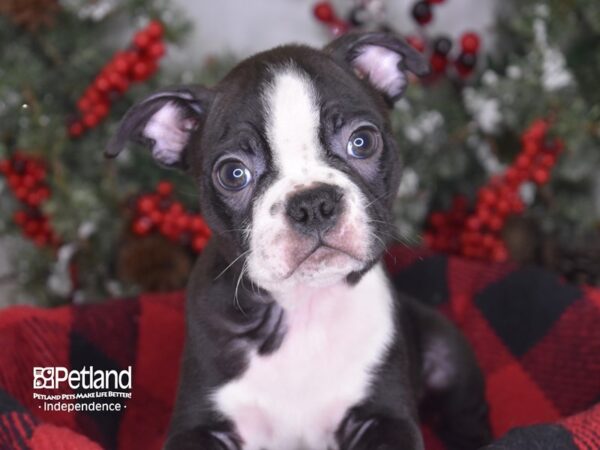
<point x="361" y="431"/>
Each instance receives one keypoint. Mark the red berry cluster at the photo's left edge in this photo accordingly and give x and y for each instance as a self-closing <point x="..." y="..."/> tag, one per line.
<point x="26" y="178"/>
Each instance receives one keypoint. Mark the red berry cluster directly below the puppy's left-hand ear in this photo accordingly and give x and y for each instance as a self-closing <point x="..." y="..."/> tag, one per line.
<point x="159" y="212"/>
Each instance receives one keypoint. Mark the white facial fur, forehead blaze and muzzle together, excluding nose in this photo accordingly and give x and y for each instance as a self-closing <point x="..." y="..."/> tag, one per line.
<point x="293" y="120"/>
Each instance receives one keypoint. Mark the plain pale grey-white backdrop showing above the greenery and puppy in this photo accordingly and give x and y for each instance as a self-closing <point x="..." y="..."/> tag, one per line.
<point x="243" y="27"/>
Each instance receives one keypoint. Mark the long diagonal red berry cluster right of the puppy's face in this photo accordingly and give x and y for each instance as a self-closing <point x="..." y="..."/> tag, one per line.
<point x="477" y="233"/>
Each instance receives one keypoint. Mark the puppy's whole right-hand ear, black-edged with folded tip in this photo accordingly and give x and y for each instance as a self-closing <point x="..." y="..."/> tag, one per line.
<point x="380" y="57"/>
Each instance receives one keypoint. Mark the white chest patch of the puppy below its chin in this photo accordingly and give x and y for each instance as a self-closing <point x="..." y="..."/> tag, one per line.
<point x="296" y="397"/>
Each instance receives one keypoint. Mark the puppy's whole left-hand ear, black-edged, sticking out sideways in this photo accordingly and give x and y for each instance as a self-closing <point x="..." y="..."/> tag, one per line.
<point x="164" y="122"/>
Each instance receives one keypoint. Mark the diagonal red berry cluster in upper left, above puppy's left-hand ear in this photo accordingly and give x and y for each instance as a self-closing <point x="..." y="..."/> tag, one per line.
<point x="135" y="64"/>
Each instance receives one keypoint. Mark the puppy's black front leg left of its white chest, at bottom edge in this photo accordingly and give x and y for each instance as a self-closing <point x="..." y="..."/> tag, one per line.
<point x="201" y="438"/>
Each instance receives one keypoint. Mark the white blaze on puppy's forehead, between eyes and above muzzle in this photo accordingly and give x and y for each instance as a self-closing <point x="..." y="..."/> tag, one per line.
<point x="292" y="121"/>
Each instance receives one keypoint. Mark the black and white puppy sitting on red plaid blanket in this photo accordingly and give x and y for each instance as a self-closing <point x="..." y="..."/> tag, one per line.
<point x="295" y="337"/>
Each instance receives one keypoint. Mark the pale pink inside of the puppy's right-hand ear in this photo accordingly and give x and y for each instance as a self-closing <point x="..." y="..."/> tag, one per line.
<point x="380" y="65"/>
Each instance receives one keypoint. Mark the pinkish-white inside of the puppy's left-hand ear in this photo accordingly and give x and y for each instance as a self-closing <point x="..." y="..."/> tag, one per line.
<point x="170" y="133"/>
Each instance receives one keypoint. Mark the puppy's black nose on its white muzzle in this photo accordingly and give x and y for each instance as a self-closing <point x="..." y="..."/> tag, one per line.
<point x="315" y="210"/>
